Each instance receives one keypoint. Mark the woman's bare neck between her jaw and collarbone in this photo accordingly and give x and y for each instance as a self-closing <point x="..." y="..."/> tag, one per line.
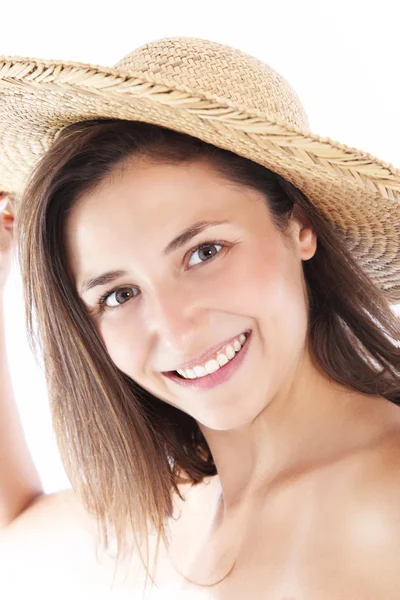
<point x="307" y="424"/>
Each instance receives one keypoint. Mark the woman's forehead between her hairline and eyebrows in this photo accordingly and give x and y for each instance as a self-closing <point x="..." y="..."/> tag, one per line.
<point x="145" y="202"/>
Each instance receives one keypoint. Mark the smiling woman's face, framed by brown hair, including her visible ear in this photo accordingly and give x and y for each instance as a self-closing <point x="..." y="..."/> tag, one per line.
<point x="201" y="265"/>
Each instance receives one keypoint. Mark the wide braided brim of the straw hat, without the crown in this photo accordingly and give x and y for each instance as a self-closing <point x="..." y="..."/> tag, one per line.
<point x="358" y="193"/>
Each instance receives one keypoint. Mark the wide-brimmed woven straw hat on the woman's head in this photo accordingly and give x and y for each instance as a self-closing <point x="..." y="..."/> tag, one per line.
<point x="222" y="96"/>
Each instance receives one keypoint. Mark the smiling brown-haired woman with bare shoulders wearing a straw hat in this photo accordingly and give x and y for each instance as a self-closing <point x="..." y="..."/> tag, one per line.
<point x="213" y="286"/>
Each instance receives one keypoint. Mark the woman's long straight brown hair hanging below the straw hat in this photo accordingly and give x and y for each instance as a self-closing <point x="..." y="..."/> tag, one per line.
<point x="124" y="450"/>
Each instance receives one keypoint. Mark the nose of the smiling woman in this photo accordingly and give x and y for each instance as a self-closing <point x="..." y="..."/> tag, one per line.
<point x="174" y="317"/>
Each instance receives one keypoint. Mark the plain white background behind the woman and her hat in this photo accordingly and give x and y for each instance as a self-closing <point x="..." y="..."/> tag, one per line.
<point x="341" y="58"/>
